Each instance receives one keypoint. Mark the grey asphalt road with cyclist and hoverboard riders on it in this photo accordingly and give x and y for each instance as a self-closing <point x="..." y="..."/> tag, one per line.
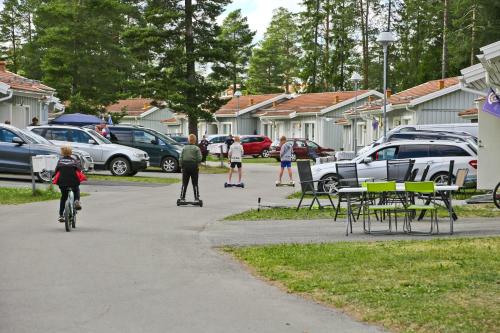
<point x="137" y="263"/>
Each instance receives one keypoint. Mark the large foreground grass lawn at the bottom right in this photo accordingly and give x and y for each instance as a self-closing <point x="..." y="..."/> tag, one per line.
<point x="431" y="286"/>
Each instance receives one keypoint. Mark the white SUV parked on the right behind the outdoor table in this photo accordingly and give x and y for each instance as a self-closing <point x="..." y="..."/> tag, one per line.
<point x="437" y="154"/>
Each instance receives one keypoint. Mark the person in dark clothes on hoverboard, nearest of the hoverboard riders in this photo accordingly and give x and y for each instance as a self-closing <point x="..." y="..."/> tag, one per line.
<point x="189" y="160"/>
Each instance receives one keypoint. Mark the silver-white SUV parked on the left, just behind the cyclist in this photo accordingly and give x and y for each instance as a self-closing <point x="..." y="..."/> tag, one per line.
<point x="120" y="160"/>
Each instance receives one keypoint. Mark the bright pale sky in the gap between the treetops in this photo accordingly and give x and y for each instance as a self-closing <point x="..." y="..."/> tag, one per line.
<point x="259" y="12"/>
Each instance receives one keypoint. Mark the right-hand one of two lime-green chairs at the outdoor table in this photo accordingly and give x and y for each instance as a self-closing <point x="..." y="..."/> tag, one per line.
<point x="428" y="189"/>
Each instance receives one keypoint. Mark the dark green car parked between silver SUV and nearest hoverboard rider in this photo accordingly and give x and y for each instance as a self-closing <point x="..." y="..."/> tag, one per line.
<point x="163" y="151"/>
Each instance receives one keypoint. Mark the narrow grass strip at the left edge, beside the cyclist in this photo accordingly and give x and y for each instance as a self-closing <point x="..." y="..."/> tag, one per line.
<point x="16" y="196"/>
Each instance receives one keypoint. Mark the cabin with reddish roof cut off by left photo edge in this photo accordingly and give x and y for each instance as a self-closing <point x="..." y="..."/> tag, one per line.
<point x="22" y="99"/>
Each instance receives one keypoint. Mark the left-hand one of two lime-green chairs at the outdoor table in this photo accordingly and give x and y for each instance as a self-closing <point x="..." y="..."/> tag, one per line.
<point x="379" y="188"/>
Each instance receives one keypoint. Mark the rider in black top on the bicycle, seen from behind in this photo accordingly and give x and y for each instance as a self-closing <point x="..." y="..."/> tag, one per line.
<point x="67" y="167"/>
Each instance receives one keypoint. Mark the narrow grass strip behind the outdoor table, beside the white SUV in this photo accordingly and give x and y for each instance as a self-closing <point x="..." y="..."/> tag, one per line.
<point x="470" y="211"/>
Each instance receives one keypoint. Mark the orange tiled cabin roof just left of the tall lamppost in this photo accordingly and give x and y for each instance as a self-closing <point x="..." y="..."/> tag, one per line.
<point x="314" y="102"/>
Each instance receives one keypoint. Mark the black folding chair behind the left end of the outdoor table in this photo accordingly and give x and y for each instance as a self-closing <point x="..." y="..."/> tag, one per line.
<point x="347" y="176"/>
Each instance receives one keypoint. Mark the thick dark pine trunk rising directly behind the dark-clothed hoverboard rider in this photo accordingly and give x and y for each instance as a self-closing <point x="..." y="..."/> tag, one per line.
<point x="190" y="68"/>
